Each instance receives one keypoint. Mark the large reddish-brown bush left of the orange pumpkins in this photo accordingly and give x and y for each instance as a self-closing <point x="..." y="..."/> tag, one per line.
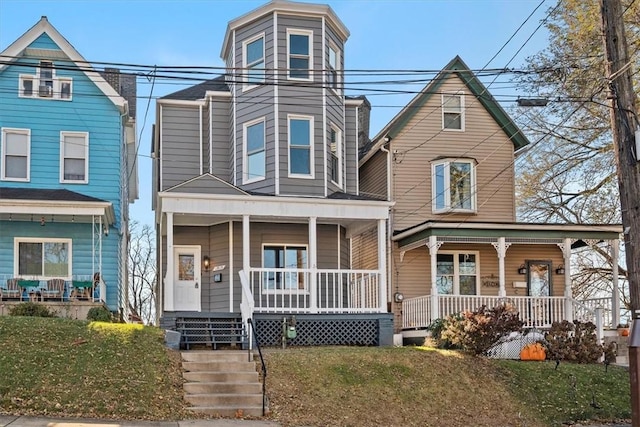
<point x="475" y="332"/>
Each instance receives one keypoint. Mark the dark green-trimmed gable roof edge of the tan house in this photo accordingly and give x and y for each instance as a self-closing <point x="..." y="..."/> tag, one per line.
<point x="458" y="67"/>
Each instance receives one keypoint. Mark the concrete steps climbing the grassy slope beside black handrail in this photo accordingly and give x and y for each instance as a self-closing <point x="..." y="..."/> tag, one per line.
<point x="223" y="383"/>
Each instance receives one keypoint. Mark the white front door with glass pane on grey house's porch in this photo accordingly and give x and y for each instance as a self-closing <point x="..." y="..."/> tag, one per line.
<point x="186" y="278"/>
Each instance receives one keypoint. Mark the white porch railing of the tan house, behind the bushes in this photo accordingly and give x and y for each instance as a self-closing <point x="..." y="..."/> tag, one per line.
<point x="534" y="311"/>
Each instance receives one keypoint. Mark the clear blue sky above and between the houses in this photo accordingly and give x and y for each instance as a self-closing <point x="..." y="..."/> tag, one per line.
<point x="385" y="34"/>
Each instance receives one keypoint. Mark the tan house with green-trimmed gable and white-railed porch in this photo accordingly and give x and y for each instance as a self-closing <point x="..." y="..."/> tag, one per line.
<point x="447" y="161"/>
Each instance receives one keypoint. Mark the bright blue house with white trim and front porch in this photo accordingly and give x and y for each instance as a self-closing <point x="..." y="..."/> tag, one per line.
<point x="67" y="174"/>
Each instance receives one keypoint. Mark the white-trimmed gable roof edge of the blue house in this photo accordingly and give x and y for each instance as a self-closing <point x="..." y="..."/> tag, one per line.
<point x="18" y="48"/>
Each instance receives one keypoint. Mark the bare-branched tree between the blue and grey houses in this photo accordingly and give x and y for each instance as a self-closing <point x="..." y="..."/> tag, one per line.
<point x="142" y="271"/>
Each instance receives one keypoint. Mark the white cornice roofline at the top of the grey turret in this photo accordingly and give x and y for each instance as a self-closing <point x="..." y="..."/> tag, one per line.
<point x="308" y="9"/>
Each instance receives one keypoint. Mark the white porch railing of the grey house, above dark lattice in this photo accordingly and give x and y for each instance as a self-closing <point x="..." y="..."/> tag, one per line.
<point x="286" y="290"/>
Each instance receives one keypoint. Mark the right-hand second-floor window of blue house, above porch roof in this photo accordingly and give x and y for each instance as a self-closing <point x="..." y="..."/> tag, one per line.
<point x="74" y="155"/>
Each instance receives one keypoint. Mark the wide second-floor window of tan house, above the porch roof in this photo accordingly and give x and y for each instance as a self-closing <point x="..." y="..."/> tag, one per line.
<point x="454" y="186"/>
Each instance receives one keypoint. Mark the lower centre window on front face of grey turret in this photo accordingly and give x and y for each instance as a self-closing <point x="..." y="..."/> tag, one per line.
<point x="300" y="150"/>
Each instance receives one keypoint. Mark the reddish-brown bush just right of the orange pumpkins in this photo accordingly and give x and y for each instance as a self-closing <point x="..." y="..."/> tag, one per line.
<point x="573" y="342"/>
